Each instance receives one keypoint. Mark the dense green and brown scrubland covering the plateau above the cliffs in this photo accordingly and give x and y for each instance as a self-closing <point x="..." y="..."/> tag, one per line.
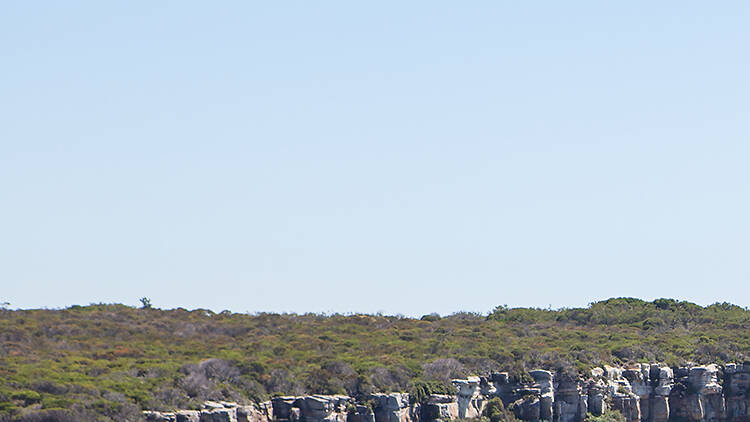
<point x="109" y="361"/>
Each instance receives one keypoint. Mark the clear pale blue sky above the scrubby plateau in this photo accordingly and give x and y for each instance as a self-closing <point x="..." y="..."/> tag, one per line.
<point x="390" y="156"/>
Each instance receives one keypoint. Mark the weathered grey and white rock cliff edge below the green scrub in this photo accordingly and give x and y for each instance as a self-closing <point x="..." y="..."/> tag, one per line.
<point x="641" y="392"/>
